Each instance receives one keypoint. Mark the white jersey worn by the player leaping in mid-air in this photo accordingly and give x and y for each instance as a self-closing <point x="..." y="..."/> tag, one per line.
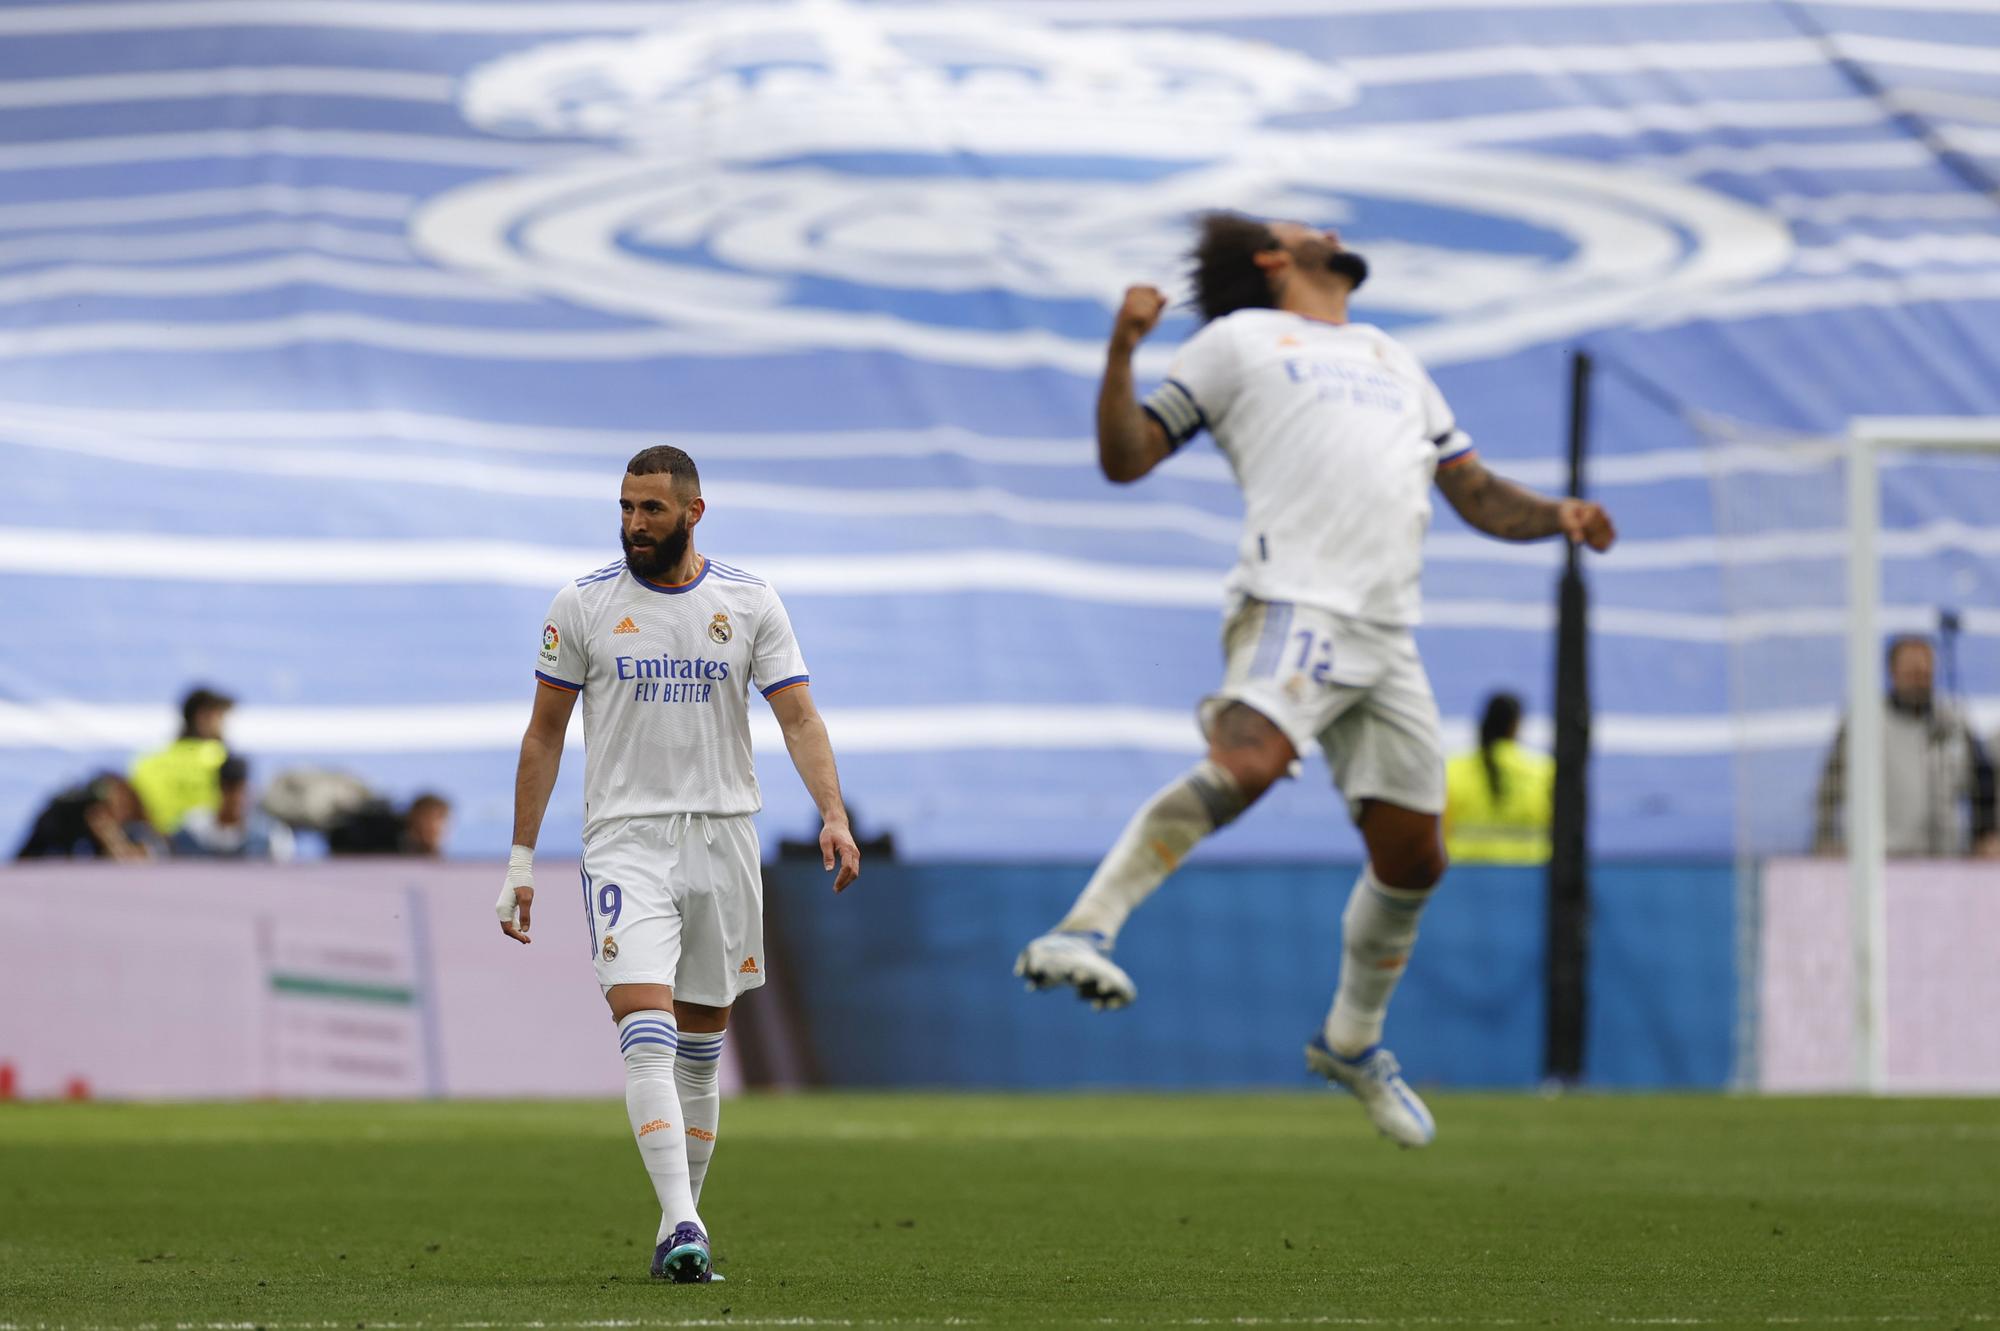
<point x="1335" y="435"/>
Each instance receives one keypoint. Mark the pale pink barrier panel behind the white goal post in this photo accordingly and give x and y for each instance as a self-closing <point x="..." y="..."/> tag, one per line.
<point x="1943" y="978"/>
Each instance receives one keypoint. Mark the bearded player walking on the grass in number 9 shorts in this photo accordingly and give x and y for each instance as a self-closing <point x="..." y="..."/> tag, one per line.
<point x="665" y="647"/>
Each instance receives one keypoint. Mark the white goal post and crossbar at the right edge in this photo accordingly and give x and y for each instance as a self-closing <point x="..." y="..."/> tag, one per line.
<point x="1869" y="439"/>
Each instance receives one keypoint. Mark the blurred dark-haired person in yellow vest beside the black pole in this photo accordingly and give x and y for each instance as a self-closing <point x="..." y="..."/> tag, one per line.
<point x="1499" y="798"/>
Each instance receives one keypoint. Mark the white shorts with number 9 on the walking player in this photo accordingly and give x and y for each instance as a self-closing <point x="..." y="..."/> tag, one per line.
<point x="679" y="902"/>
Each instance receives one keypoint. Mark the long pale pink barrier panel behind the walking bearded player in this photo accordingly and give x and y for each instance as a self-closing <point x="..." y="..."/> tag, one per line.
<point x="381" y="978"/>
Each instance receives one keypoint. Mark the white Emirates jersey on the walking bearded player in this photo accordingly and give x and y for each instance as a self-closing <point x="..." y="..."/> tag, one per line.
<point x="667" y="676"/>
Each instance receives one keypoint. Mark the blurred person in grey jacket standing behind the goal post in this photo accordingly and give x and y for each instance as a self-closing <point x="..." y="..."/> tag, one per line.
<point x="1939" y="782"/>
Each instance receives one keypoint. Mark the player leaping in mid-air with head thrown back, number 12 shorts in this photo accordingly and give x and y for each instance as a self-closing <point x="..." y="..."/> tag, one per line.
<point x="1335" y="435"/>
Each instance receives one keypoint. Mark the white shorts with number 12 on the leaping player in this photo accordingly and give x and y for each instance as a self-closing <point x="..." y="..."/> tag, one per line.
<point x="1355" y="688"/>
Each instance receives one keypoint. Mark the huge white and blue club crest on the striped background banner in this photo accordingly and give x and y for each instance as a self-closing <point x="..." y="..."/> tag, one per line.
<point x="769" y="161"/>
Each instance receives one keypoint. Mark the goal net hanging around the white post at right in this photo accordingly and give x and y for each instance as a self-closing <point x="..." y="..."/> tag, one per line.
<point x="1863" y="968"/>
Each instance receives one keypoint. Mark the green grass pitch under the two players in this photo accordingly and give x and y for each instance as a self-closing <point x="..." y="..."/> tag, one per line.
<point x="1011" y="1210"/>
